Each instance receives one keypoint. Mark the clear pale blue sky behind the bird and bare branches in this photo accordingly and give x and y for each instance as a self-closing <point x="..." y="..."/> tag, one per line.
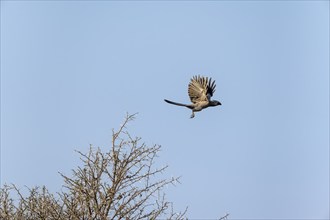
<point x="71" y="70"/>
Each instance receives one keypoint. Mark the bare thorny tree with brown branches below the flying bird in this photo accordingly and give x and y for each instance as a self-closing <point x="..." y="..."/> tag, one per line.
<point x="120" y="183"/>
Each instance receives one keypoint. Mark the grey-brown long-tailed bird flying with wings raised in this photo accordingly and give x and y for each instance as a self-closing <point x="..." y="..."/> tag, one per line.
<point x="200" y="91"/>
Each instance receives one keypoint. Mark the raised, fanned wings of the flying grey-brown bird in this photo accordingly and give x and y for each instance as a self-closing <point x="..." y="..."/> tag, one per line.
<point x="201" y="89"/>
